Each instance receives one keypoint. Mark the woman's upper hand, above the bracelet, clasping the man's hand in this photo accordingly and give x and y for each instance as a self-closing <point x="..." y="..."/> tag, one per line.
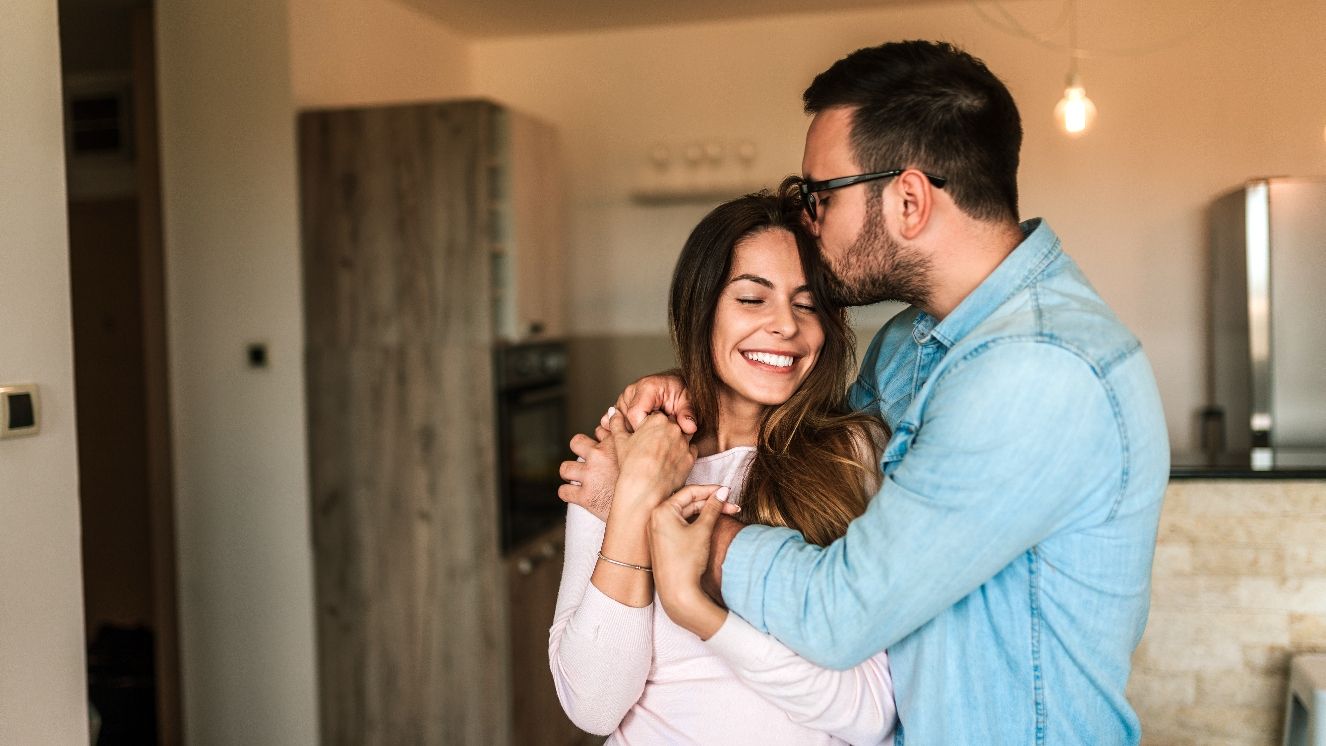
<point x="653" y="462"/>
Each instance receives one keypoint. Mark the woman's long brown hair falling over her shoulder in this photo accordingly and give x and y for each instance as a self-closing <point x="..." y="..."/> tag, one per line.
<point x="808" y="472"/>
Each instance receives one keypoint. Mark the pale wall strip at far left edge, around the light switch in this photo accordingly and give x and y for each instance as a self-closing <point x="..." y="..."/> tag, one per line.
<point x="43" y="680"/>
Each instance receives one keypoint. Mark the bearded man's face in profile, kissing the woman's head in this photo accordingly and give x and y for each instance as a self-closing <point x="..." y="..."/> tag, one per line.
<point x="868" y="263"/>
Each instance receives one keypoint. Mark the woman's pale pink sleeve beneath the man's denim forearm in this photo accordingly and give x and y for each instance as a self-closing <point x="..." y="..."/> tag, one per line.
<point x="856" y="706"/>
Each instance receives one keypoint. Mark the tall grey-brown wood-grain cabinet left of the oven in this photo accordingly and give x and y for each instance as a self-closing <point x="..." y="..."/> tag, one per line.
<point x="408" y="229"/>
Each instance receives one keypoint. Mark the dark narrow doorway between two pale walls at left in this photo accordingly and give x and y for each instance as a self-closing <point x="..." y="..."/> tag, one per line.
<point x="117" y="295"/>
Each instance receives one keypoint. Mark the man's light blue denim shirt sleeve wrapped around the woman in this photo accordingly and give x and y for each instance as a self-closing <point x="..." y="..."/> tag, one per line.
<point x="1012" y="443"/>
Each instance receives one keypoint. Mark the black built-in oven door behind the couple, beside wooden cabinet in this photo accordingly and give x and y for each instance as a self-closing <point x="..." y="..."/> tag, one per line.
<point x="534" y="447"/>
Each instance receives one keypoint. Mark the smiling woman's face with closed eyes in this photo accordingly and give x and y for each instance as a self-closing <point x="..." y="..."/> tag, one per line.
<point x="767" y="336"/>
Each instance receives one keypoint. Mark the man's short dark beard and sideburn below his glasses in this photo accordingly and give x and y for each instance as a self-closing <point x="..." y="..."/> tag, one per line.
<point x="877" y="268"/>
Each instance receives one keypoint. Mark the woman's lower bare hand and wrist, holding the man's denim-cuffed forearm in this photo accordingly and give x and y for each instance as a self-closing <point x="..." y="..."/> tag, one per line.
<point x="681" y="552"/>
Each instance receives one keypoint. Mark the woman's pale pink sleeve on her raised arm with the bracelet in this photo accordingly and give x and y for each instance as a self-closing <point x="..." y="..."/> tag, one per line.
<point x="600" y="650"/>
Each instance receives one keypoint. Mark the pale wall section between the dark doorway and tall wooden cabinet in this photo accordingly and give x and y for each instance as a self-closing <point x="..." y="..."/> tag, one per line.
<point x="246" y="594"/>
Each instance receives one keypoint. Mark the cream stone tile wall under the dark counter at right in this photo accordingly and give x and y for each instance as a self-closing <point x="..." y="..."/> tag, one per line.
<point x="1239" y="586"/>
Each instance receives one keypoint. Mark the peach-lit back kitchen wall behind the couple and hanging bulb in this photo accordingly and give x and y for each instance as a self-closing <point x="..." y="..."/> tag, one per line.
<point x="1177" y="128"/>
